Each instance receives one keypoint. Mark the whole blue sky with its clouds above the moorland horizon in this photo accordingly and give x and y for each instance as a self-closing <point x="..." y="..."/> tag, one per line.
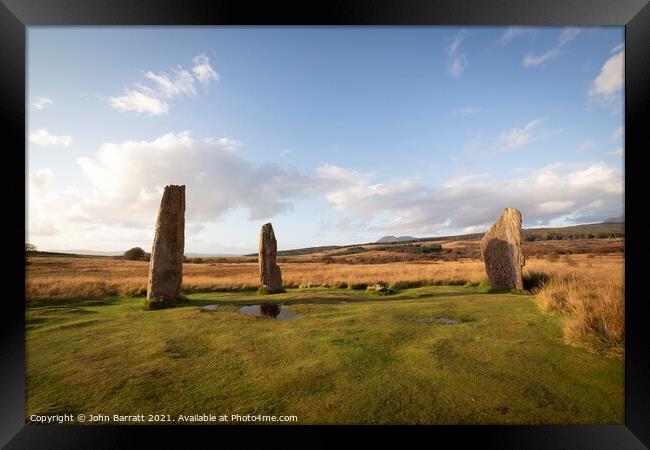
<point x="336" y="135"/>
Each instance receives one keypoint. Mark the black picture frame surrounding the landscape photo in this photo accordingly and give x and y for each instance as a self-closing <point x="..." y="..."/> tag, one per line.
<point x="16" y="15"/>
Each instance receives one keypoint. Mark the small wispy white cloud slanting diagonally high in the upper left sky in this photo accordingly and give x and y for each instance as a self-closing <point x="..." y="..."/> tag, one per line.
<point x="151" y="99"/>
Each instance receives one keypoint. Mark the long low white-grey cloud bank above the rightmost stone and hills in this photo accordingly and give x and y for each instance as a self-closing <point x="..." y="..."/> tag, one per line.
<point x="556" y="191"/>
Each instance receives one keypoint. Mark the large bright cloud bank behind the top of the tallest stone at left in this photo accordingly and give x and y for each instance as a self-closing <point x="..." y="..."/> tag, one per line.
<point x="125" y="182"/>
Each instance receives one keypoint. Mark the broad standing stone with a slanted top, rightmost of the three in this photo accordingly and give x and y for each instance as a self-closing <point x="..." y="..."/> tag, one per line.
<point x="501" y="251"/>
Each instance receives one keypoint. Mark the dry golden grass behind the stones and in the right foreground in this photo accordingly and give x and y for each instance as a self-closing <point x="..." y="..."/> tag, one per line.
<point x="587" y="290"/>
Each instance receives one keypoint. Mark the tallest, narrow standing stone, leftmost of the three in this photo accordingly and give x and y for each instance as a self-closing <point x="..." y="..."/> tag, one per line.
<point x="166" y="264"/>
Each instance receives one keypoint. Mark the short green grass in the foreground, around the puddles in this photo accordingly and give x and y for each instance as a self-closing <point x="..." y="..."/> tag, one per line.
<point x="352" y="358"/>
